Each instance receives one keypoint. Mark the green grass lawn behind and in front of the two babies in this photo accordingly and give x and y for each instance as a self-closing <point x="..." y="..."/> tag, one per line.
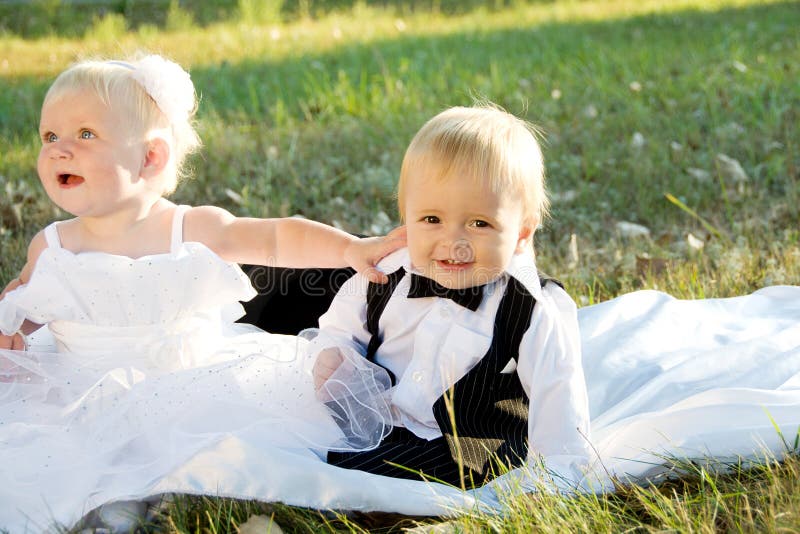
<point x="638" y="100"/>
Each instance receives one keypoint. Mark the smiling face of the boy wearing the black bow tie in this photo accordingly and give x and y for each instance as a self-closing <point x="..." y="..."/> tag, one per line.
<point x="460" y="233"/>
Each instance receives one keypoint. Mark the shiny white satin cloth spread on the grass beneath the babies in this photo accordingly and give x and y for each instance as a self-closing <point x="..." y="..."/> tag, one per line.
<point x="666" y="378"/>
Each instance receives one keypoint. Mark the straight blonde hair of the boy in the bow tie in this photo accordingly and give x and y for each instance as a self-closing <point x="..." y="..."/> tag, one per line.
<point x="482" y="143"/>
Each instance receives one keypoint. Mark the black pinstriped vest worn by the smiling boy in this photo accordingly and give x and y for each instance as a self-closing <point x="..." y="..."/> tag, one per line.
<point x="484" y="416"/>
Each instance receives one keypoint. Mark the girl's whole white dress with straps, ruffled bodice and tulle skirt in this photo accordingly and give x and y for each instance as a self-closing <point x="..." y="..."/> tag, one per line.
<point x="150" y="368"/>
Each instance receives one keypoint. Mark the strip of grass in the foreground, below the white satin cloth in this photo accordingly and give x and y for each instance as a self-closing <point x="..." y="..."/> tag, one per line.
<point x="764" y="497"/>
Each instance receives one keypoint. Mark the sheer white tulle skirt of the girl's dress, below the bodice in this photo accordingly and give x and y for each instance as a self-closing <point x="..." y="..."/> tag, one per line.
<point x="72" y="425"/>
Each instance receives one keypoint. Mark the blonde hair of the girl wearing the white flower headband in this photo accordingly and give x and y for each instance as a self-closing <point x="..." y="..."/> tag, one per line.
<point x="114" y="83"/>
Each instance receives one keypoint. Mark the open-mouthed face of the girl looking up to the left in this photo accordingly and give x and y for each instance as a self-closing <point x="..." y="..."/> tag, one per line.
<point x="89" y="164"/>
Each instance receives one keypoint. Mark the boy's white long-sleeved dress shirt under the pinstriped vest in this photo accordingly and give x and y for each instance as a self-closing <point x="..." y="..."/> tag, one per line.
<point x="430" y="343"/>
